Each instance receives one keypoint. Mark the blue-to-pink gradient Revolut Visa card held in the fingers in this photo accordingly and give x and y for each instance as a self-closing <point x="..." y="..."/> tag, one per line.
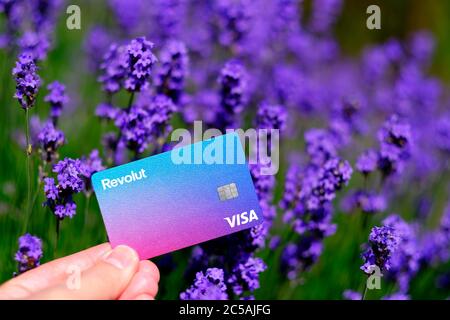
<point x="179" y="198"/>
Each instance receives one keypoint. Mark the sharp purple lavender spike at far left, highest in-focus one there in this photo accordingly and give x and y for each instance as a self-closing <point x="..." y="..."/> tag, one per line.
<point x="27" y="81"/>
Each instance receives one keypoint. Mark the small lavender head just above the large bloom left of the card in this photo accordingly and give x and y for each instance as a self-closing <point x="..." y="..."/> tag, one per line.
<point x="50" y="139"/>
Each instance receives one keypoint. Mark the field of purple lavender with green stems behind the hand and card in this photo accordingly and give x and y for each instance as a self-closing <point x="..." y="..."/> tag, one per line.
<point x="364" y="117"/>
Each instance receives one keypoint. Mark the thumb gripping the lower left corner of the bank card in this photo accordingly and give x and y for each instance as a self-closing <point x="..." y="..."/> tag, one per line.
<point x="107" y="279"/>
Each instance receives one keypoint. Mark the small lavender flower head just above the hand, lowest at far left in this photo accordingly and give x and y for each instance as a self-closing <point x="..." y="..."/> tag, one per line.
<point x="30" y="252"/>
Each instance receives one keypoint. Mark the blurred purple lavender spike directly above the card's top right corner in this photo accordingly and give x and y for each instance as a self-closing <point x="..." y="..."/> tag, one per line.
<point x="233" y="90"/>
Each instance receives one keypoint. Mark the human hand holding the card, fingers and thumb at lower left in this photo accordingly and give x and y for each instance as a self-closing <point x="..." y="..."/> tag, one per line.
<point x="105" y="273"/>
